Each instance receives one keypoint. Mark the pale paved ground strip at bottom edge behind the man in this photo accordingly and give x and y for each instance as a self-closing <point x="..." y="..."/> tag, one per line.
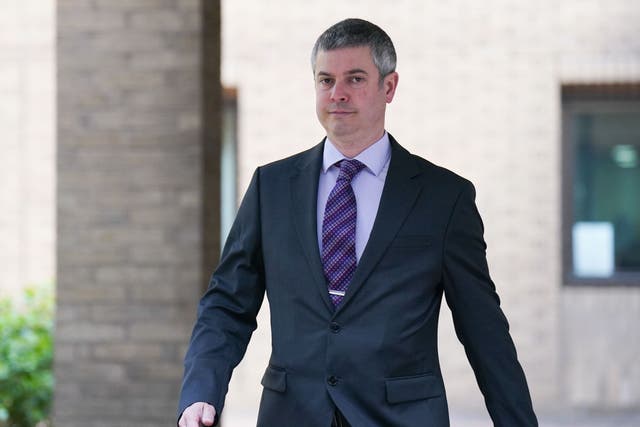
<point x="549" y="419"/>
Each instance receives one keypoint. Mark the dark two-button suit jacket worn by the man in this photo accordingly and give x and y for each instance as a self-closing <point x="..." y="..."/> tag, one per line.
<point x="375" y="357"/>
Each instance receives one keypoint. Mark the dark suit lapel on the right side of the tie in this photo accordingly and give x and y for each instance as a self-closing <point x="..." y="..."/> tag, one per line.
<point x="399" y="194"/>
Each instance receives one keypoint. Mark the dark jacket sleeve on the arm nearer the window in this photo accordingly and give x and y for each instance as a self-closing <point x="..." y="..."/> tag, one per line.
<point x="480" y="324"/>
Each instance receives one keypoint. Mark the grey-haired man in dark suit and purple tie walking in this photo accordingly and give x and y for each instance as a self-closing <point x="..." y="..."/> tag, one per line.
<point x="354" y="242"/>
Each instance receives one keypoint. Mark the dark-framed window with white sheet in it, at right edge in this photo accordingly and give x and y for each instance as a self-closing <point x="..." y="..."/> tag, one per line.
<point x="601" y="141"/>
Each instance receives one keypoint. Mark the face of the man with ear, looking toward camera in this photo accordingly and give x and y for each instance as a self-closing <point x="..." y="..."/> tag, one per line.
<point x="350" y="102"/>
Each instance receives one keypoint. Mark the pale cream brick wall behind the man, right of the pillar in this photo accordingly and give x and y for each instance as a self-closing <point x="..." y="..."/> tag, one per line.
<point x="478" y="93"/>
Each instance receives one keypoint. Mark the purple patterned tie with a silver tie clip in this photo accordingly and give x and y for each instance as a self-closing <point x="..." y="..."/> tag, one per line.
<point x="339" y="232"/>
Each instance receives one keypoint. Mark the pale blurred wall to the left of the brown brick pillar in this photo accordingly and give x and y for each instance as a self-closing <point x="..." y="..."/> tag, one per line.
<point x="27" y="159"/>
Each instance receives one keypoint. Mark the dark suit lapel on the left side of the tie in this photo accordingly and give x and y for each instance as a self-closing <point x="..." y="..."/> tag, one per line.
<point x="304" y="193"/>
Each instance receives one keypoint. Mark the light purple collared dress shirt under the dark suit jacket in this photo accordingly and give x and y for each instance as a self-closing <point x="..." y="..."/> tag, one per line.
<point x="367" y="186"/>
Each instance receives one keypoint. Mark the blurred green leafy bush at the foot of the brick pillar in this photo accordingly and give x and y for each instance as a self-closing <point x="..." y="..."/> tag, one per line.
<point x="26" y="378"/>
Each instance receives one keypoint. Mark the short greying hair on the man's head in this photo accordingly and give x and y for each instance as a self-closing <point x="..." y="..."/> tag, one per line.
<point x="355" y="32"/>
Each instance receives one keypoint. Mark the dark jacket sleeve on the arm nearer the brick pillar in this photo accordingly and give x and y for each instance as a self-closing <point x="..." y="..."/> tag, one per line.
<point x="227" y="311"/>
